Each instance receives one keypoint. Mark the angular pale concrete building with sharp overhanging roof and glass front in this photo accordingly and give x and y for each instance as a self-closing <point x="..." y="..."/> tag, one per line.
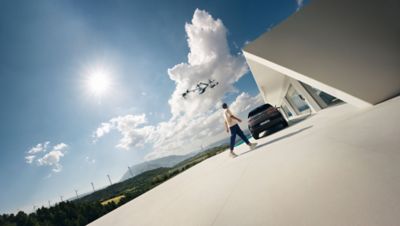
<point x="328" y="51"/>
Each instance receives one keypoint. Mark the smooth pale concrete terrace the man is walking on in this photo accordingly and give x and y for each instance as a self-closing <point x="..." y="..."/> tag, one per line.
<point x="338" y="167"/>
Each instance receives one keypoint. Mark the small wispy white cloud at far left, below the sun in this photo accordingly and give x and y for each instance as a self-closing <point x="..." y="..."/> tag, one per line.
<point x="49" y="156"/>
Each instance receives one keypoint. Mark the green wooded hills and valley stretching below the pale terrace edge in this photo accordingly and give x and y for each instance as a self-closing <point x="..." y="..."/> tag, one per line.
<point x="92" y="206"/>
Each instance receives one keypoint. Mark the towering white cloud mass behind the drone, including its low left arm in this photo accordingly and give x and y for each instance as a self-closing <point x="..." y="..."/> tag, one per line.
<point x="196" y="117"/>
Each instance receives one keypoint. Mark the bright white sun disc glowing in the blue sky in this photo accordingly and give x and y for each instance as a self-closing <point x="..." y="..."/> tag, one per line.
<point x="98" y="82"/>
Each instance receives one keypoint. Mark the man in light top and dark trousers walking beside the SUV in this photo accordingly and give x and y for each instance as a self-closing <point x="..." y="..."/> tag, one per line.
<point x="231" y="124"/>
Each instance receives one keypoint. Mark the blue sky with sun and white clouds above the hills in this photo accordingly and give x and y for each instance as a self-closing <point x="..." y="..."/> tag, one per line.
<point x="88" y="88"/>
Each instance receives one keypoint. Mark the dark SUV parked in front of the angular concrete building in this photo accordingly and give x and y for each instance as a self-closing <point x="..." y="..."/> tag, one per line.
<point x="265" y="118"/>
